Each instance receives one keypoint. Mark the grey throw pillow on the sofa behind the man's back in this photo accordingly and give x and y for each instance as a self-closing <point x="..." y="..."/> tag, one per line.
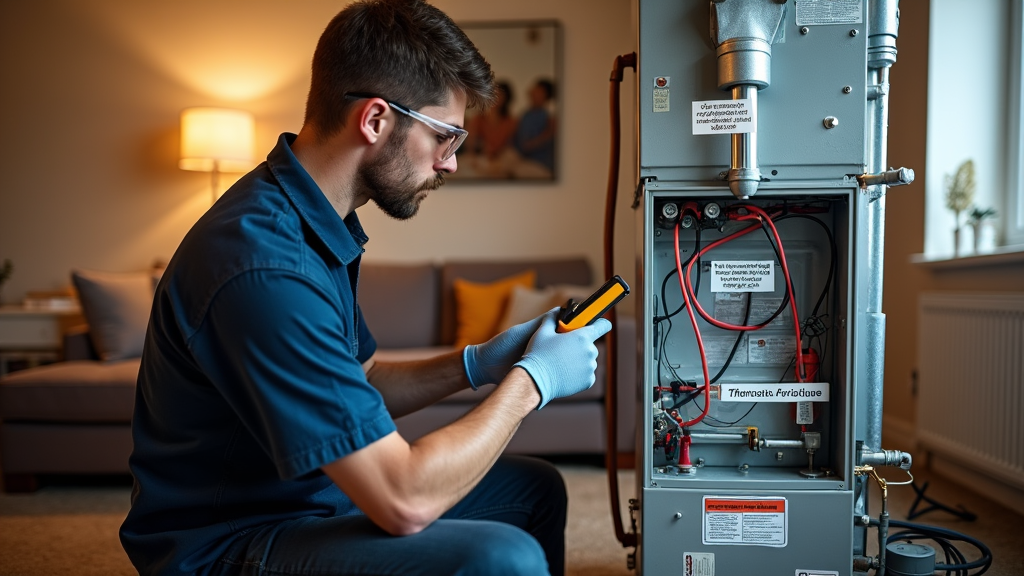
<point x="117" y="308"/>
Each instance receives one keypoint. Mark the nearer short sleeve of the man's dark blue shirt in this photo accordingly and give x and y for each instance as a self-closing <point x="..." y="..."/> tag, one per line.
<point x="284" y="354"/>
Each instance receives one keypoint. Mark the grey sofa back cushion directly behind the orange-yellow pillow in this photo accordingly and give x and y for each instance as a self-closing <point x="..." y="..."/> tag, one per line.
<point x="564" y="271"/>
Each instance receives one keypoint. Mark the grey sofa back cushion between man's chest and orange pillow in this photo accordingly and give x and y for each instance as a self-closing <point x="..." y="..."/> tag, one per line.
<point x="401" y="304"/>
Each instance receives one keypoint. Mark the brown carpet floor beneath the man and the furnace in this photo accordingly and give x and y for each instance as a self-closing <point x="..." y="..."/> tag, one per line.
<point x="71" y="528"/>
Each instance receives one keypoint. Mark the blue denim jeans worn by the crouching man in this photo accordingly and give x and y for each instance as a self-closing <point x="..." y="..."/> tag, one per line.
<point x="514" y="523"/>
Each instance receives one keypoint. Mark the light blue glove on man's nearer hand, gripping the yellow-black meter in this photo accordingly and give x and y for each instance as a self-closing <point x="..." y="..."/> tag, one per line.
<point x="563" y="364"/>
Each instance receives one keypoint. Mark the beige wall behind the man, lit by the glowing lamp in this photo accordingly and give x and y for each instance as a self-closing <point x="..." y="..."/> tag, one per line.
<point x="90" y="110"/>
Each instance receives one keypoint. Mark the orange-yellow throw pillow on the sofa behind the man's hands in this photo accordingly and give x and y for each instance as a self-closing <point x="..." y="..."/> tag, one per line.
<point x="480" y="308"/>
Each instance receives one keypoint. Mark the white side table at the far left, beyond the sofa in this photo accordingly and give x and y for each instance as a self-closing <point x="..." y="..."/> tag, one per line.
<point x="31" y="338"/>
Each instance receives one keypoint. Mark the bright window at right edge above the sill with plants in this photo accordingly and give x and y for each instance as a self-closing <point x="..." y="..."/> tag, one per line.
<point x="975" y="111"/>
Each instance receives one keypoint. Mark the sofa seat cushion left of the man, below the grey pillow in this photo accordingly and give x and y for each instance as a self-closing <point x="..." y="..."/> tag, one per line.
<point x="71" y="392"/>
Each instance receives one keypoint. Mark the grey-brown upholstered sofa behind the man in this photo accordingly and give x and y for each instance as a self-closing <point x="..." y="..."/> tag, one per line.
<point x="75" y="417"/>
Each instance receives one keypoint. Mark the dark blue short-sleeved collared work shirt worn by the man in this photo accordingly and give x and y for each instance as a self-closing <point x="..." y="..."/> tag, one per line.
<point x="251" y="376"/>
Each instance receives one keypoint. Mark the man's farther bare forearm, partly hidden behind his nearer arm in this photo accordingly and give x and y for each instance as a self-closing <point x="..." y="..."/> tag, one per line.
<point x="408" y="387"/>
